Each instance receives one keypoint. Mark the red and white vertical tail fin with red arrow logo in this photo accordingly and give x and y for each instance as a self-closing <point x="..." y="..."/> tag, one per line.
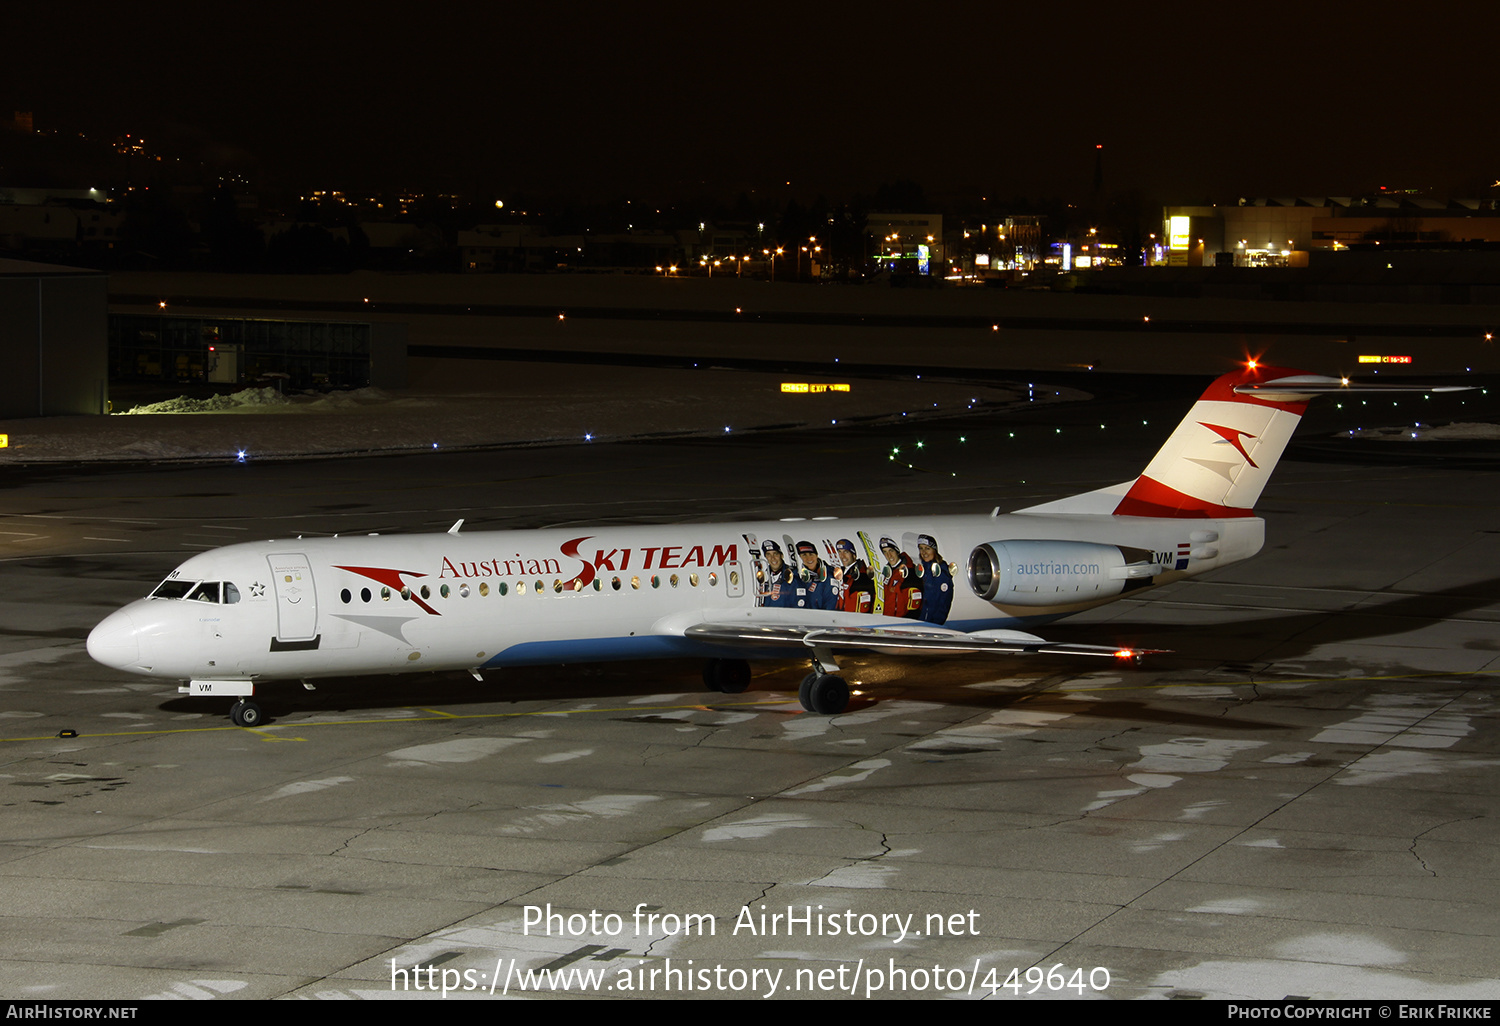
<point x="1222" y="455"/>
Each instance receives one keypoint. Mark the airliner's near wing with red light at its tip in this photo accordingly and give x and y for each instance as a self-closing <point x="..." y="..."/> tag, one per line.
<point x="893" y="637"/>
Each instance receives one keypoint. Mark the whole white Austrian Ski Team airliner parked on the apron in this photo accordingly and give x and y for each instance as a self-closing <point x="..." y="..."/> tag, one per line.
<point x="233" y="619"/>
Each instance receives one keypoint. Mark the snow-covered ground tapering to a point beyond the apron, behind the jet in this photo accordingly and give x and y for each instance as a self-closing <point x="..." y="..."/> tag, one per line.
<point x="476" y="407"/>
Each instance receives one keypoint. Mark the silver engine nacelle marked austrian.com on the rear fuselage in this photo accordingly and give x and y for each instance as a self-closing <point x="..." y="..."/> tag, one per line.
<point x="1048" y="574"/>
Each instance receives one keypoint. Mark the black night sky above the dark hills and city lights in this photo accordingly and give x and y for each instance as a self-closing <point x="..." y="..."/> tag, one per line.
<point x="1193" y="103"/>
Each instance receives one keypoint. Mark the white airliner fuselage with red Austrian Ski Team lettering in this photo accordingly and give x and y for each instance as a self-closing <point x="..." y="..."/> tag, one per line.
<point x="308" y="608"/>
